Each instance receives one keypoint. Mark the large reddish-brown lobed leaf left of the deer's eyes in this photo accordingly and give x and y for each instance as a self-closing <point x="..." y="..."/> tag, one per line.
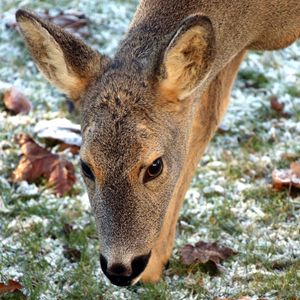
<point x="38" y="162"/>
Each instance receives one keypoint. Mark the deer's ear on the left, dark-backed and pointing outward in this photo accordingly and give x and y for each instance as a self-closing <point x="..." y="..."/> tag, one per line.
<point x="66" y="61"/>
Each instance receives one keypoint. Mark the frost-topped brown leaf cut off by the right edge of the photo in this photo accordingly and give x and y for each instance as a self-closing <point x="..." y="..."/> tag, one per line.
<point x="287" y="178"/>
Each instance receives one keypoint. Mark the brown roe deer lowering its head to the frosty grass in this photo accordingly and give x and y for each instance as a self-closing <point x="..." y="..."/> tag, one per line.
<point x="148" y="114"/>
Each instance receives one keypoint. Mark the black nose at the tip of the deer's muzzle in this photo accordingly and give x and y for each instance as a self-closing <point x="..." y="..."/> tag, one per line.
<point x="122" y="275"/>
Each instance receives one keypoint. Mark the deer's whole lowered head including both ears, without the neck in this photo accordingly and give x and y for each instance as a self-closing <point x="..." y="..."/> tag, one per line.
<point x="135" y="127"/>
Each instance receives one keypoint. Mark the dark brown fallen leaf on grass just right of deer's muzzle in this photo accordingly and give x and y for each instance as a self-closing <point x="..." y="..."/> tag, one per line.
<point x="203" y="253"/>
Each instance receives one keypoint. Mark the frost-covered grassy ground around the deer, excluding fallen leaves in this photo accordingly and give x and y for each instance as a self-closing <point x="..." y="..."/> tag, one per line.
<point x="230" y="200"/>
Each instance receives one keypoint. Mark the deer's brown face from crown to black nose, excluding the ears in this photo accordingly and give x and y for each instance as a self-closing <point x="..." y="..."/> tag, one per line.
<point x="131" y="157"/>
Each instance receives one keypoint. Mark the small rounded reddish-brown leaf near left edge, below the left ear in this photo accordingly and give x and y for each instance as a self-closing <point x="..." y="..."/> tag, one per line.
<point x="16" y="102"/>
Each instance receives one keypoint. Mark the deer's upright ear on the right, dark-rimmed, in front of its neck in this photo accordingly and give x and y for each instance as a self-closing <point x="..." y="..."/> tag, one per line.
<point x="188" y="57"/>
